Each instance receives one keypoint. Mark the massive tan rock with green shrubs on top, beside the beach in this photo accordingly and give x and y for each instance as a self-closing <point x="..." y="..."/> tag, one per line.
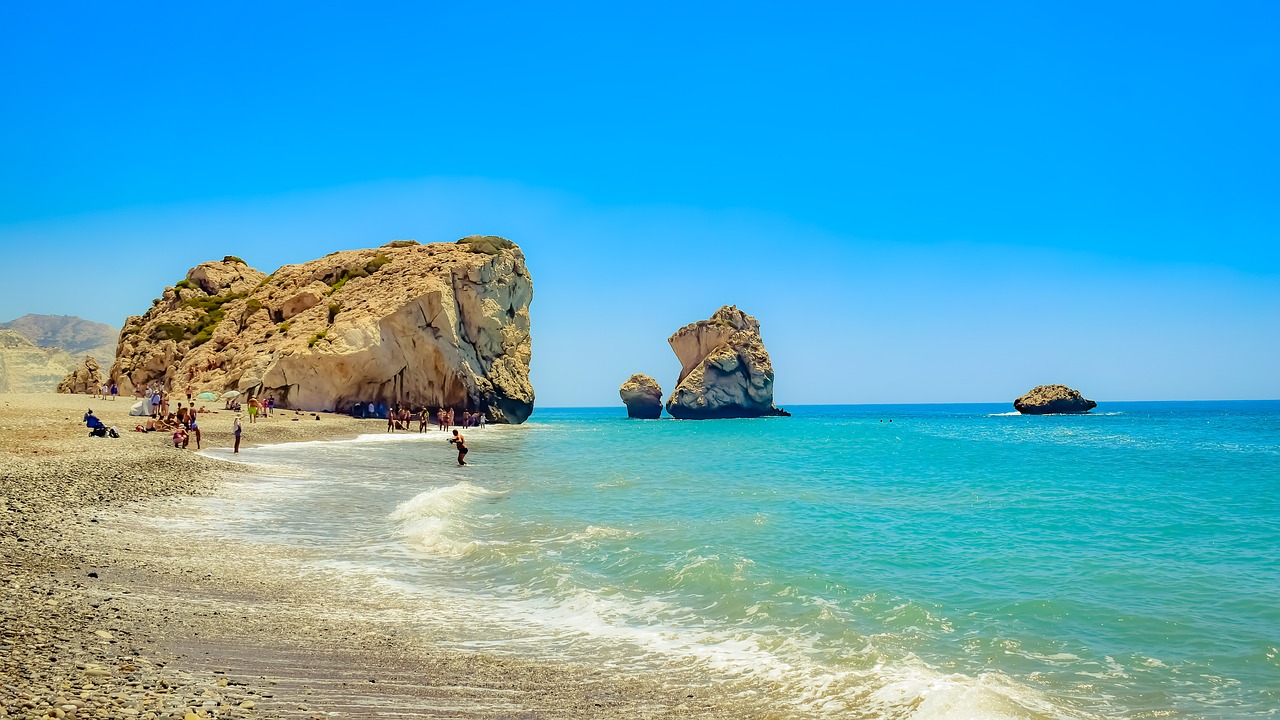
<point x="442" y="325"/>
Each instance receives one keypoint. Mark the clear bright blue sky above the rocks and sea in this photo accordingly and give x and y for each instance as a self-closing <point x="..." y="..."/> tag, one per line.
<point x="920" y="202"/>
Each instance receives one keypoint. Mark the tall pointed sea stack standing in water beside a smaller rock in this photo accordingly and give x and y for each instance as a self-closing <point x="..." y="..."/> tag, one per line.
<point x="725" y="370"/>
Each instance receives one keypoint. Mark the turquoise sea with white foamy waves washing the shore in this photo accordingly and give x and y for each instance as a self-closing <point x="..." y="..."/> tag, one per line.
<point x="851" y="562"/>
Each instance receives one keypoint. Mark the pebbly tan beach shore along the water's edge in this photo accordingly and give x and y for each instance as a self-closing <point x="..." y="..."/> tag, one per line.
<point x="106" y="617"/>
